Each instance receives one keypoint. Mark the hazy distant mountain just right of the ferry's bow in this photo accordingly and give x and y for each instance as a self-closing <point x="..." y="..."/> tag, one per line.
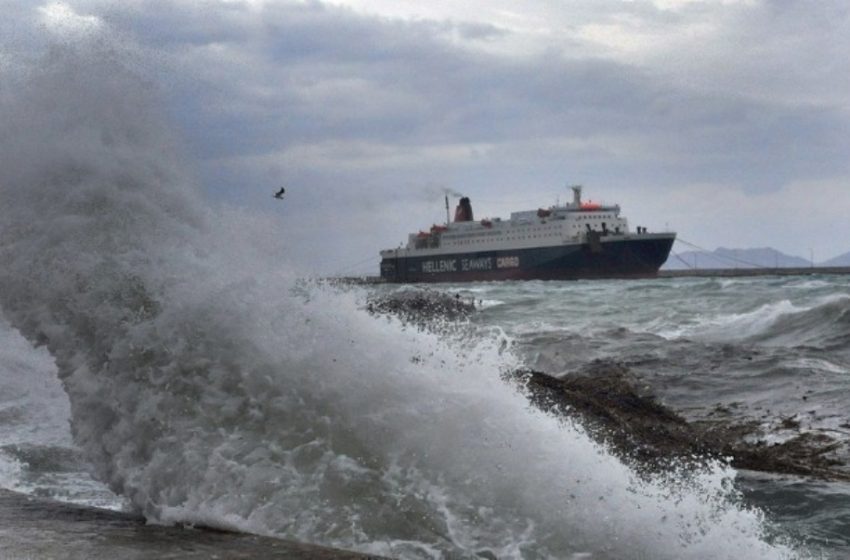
<point x="765" y="257"/>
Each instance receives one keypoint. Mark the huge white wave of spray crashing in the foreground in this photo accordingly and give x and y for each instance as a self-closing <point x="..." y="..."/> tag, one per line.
<point x="207" y="385"/>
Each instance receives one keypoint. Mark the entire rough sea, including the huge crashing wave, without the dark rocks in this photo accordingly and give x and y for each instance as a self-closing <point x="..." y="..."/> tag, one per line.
<point x="159" y="355"/>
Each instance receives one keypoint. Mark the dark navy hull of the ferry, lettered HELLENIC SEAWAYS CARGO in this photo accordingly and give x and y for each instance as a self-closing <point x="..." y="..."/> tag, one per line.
<point x="622" y="257"/>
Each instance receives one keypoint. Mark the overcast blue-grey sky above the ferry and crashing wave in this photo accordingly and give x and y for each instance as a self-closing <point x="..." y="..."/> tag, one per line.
<point x="727" y="121"/>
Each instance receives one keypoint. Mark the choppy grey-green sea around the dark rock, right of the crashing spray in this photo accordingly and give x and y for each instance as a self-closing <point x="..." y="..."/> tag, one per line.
<point x="766" y="349"/>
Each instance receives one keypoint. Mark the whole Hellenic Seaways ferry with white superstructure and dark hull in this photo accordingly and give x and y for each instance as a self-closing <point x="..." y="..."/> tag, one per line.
<point x="579" y="239"/>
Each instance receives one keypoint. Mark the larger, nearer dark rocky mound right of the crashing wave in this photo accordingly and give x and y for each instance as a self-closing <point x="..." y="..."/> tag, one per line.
<point x="651" y="437"/>
